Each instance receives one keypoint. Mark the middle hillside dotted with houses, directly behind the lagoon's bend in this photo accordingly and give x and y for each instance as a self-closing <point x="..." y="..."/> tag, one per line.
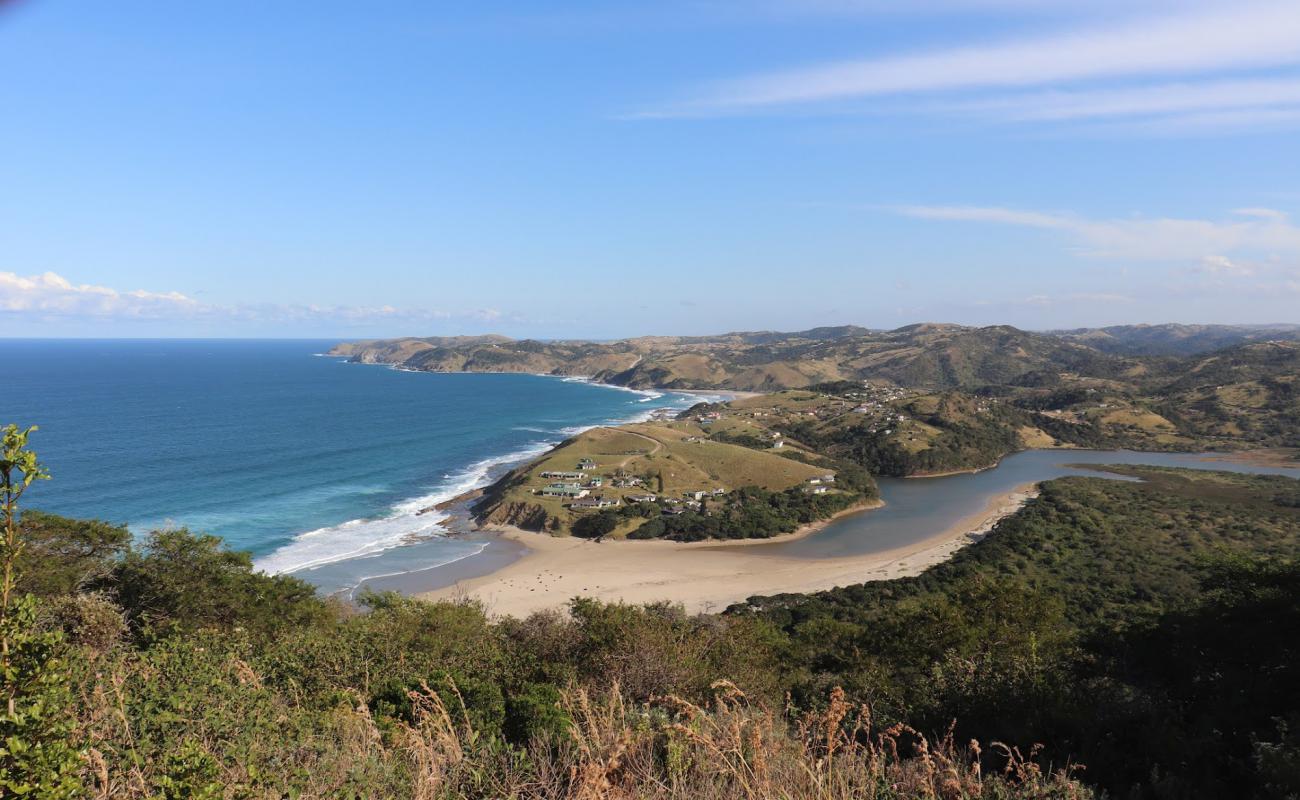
<point x="898" y="433"/>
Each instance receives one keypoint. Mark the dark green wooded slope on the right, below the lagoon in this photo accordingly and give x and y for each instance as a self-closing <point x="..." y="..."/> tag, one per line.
<point x="1149" y="630"/>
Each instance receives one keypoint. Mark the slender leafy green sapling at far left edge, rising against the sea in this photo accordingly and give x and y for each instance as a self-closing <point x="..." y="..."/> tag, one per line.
<point x="37" y="756"/>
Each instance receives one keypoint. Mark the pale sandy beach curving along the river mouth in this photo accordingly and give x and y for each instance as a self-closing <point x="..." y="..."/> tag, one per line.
<point x="703" y="577"/>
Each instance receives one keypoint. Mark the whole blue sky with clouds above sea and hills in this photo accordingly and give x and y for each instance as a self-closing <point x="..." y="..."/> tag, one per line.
<point x="605" y="170"/>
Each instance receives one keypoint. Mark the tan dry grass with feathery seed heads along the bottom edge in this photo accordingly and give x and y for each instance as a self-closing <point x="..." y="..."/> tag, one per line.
<point x="614" y="750"/>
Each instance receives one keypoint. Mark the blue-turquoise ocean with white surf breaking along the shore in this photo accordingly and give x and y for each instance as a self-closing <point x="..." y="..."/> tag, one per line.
<point x="302" y="460"/>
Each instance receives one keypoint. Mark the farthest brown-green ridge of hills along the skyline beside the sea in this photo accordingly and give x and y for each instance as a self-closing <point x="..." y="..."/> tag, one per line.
<point x="917" y="356"/>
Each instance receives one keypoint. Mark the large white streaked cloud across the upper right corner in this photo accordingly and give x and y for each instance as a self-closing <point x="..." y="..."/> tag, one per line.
<point x="1242" y="36"/>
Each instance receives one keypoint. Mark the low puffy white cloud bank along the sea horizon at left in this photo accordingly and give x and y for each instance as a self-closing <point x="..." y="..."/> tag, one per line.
<point x="49" y="296"/>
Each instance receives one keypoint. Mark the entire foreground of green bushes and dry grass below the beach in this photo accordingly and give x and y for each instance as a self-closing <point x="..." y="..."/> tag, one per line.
<point x="1146" y="630"/>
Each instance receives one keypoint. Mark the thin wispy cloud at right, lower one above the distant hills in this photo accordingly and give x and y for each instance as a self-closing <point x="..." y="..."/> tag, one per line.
<point x="1254" y="231"/>
